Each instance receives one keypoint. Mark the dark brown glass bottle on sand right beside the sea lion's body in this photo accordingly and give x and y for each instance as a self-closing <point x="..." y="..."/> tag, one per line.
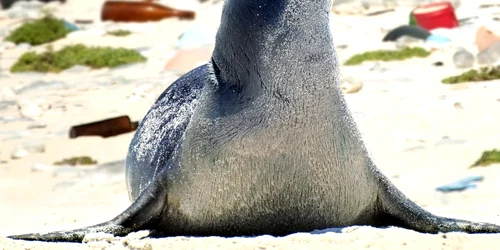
<point x="105" y="128"/>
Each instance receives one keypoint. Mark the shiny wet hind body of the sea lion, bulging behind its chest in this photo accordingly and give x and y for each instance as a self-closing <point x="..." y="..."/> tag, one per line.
<point x="161" y="131"/>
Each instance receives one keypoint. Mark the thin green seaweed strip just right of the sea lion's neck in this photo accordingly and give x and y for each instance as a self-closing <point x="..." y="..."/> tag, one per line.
<point x="387" y="55"/>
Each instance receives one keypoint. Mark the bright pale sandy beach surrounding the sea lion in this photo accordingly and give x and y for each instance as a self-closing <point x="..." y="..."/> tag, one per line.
<point x="422" y="134"/>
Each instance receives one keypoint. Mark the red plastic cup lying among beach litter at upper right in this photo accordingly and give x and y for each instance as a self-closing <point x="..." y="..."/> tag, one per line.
<point x="436" y="15"/>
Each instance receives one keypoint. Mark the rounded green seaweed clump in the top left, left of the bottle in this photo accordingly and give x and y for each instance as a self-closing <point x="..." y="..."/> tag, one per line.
<point x="40" y="31"/>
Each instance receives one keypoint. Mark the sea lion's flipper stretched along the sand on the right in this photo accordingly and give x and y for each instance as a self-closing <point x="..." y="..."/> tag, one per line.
<point x="395" y="209"/>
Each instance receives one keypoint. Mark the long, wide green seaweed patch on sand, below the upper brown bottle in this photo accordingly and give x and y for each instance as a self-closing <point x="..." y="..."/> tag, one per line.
<point x="94" y="57"/>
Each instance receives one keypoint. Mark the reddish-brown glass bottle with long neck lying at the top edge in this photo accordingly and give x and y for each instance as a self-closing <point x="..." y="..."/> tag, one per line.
<point x="140" y="11"/>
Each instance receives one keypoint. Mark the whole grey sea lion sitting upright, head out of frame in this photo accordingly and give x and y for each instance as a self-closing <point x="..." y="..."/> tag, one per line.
<point x="259" y="141"/>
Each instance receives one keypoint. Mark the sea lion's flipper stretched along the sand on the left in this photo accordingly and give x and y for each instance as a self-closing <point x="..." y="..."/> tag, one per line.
<point x="148" y="206"/>
